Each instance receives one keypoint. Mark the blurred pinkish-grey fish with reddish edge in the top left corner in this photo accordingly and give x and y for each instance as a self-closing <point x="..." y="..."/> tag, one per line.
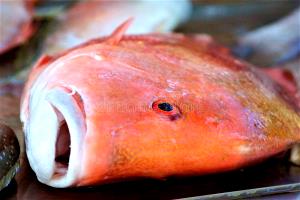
<point x="16" y="23"/>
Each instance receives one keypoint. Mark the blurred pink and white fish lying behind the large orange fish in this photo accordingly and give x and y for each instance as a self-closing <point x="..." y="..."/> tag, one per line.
<point x="91" y="19"/>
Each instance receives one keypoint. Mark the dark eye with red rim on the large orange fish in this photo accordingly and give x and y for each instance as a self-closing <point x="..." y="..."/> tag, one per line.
<point x="166" y="109"/>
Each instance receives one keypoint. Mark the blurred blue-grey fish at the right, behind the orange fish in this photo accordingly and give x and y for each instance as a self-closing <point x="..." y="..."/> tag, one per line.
<point x="275" y="43"/>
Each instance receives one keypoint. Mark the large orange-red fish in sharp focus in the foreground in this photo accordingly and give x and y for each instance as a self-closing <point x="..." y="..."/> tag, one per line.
<point x="226" y="113"/>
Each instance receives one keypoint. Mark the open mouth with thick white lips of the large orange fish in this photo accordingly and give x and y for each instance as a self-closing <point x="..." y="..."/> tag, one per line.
<point x="57" y="129"/>
